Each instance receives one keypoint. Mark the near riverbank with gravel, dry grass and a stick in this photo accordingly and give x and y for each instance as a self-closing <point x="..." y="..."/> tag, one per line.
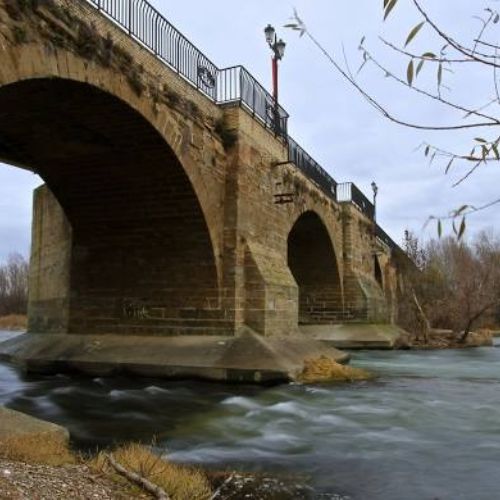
<point x="62" y="474"/>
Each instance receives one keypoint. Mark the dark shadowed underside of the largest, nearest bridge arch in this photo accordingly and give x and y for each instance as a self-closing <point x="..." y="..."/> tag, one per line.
<point x="142" y="258"/>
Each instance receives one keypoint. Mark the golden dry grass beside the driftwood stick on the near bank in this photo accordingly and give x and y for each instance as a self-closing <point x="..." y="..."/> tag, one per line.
<point x="180" y="482"/>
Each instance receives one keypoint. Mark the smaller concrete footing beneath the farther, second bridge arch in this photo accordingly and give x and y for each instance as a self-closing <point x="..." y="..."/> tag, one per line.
<point x="357" y="336"/>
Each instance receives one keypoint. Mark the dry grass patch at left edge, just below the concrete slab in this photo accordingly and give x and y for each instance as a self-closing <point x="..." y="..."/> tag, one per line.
<point x="37" y="449"/>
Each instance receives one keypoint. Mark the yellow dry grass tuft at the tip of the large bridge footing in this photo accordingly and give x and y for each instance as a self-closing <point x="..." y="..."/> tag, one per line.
<point x="324" y="369"/>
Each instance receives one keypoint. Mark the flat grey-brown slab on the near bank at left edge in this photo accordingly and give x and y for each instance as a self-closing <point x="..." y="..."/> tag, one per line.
<point x="14" y="424"/>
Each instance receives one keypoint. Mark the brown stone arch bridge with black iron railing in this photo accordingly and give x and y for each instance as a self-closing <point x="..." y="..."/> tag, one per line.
<point x="175" y="204"/>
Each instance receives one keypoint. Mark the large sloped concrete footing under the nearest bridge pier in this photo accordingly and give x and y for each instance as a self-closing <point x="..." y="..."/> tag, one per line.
<point x="248" y="358"/>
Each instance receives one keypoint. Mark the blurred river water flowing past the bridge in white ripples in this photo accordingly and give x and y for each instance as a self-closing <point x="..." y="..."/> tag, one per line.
<point x="427" y="428"/>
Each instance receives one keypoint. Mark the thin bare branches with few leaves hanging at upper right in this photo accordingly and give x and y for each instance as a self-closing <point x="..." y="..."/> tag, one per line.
<point x="477" y="54"/>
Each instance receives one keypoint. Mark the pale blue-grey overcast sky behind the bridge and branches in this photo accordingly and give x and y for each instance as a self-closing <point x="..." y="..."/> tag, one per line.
<point x="328" y="117"/>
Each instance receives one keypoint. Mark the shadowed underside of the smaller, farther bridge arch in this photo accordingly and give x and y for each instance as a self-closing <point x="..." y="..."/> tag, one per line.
<point x="313" y="263"/>
